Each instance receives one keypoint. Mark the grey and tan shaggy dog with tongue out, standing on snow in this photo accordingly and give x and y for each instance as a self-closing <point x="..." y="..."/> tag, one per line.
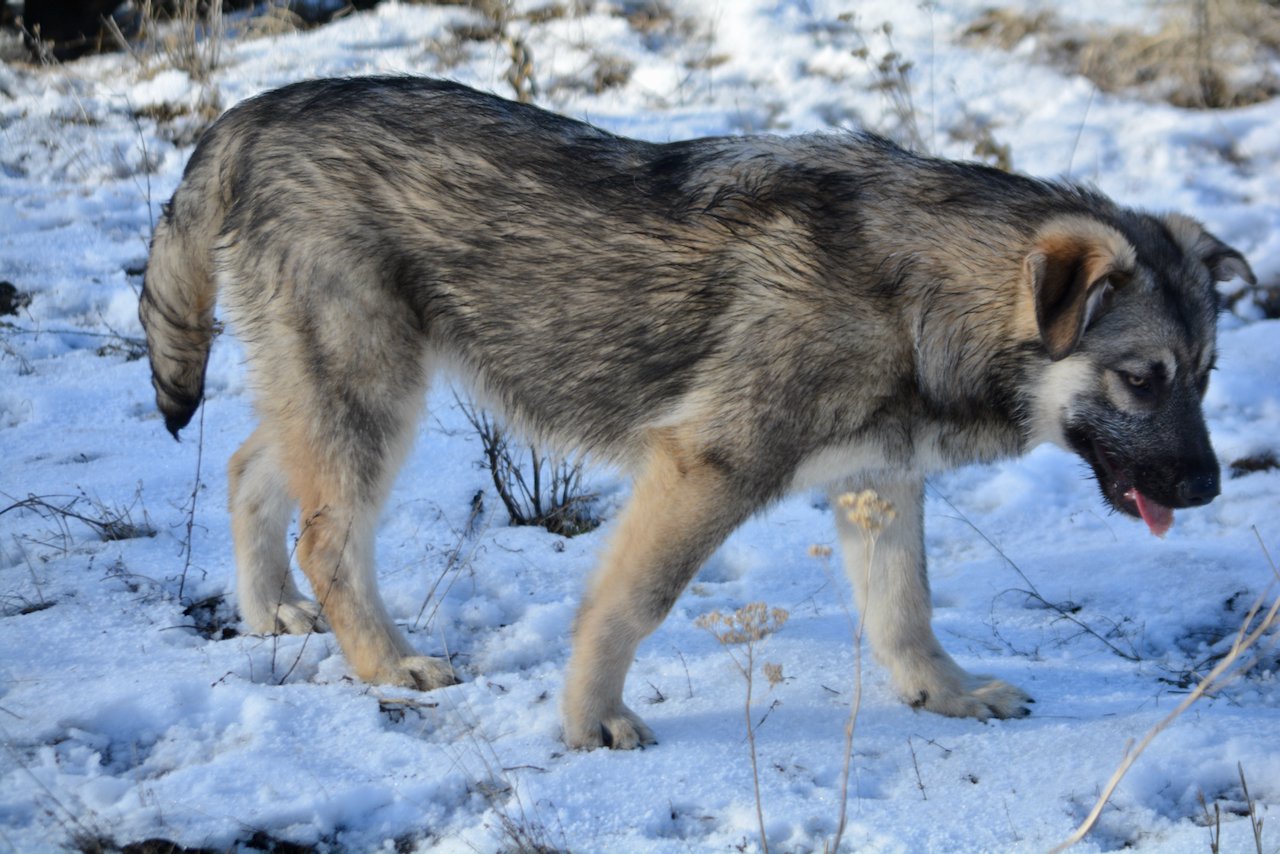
<point x="729" y="319"/>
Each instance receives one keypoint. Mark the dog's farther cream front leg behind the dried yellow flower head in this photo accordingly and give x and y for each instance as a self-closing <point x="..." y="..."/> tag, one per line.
<point x="893" y="592"/>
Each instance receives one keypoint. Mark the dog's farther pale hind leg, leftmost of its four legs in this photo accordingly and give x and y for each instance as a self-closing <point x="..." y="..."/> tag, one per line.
<point x="262" y="508"/>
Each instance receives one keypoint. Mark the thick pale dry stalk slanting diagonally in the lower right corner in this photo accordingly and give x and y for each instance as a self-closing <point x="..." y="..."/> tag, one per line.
<point x="1227" y="670"/>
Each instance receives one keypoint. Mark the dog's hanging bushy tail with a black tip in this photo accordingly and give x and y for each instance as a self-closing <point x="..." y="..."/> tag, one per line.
<point x="180" y="290"/>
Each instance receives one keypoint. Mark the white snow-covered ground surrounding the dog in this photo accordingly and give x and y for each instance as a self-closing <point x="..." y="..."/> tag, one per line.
<point x="132" y="709"/>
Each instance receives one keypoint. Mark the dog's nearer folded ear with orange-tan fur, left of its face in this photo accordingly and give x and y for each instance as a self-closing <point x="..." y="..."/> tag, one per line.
<point x="1075" y="266"/>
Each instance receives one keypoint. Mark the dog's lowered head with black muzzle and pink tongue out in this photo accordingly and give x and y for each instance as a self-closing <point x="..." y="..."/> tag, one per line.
<point x="1127" y="316"/>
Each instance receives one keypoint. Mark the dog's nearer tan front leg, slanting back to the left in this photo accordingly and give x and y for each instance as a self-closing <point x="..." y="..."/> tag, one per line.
<point x="680" y="510"/>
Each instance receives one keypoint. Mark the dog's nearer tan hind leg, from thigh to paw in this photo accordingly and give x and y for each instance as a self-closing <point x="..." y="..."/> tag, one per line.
<point x="341" y="387"/>
